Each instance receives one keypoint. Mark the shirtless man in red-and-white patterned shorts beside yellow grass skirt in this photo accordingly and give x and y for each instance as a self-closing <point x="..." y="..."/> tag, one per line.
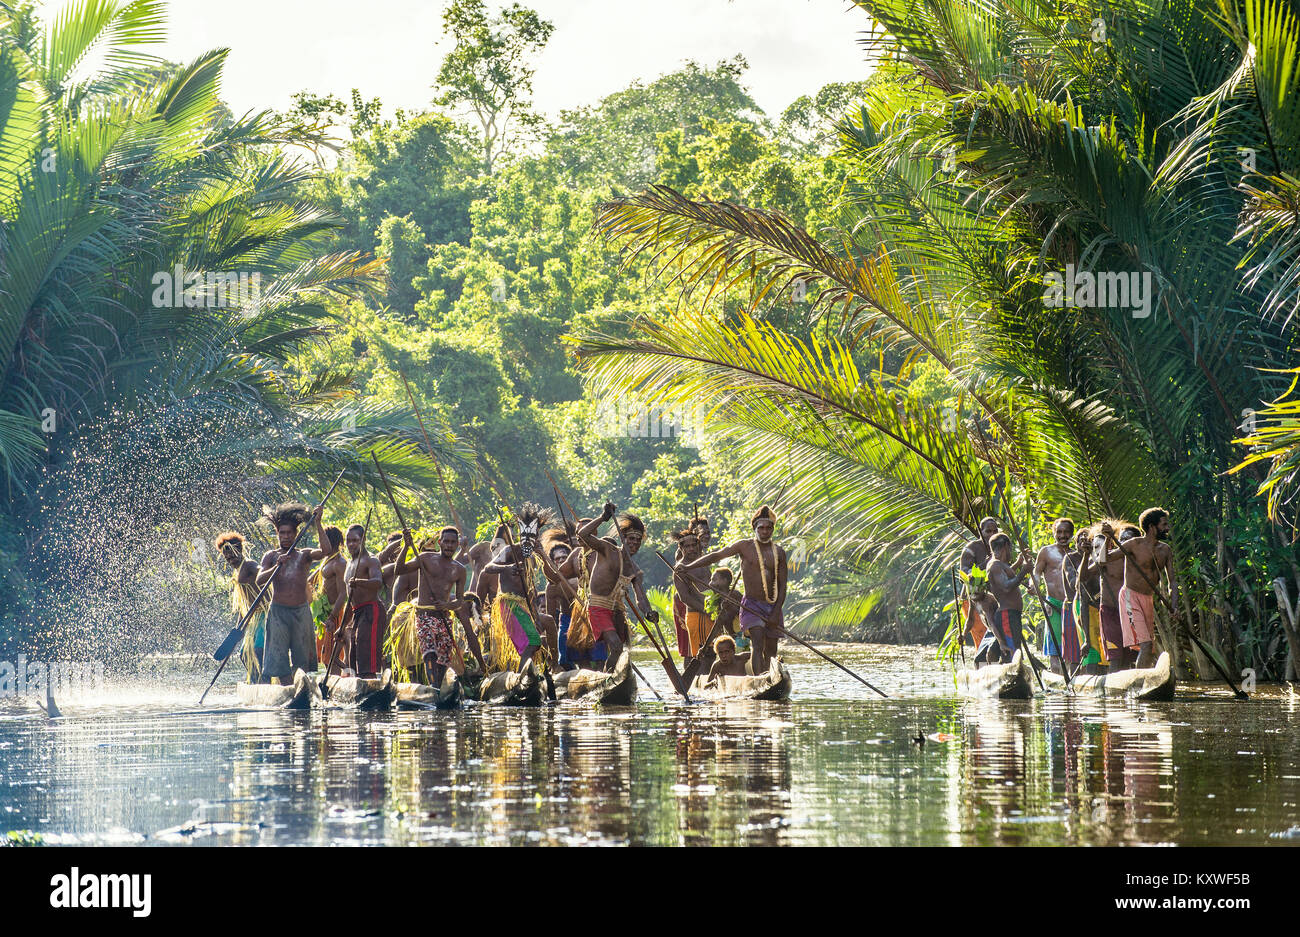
<point x="441" y="585"/>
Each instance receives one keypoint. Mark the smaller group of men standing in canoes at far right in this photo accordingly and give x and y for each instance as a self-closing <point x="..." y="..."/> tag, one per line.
<point x="1098" y="589"/>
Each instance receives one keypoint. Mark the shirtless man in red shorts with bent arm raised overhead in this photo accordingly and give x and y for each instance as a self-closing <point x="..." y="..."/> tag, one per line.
<point x="614" y="572"/>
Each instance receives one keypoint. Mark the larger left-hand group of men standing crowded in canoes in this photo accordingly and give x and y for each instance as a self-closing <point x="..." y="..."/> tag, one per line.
<point x="560" y="595"/>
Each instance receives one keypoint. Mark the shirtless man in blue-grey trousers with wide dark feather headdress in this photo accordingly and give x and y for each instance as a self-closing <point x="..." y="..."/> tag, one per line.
<point x="291" y="630"/>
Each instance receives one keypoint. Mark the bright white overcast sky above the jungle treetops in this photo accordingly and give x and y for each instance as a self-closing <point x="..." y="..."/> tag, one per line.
<point x="387" y="47"/>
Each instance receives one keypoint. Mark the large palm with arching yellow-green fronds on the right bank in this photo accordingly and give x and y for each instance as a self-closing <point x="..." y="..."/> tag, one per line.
<point x="1002" y="144"/>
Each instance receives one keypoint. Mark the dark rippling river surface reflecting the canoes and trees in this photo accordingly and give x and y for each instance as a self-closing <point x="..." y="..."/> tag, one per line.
<point x="835" y="766"/>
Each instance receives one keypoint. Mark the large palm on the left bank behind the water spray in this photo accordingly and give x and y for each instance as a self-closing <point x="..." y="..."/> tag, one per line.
<point x="144" y="393"/>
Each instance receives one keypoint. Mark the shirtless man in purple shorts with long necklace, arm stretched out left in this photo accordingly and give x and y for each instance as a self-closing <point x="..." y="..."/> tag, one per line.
<point x="764" y="572"/>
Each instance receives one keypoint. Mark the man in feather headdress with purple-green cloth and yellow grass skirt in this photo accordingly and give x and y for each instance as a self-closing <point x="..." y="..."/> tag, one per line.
<point x="514" y="624"/>
